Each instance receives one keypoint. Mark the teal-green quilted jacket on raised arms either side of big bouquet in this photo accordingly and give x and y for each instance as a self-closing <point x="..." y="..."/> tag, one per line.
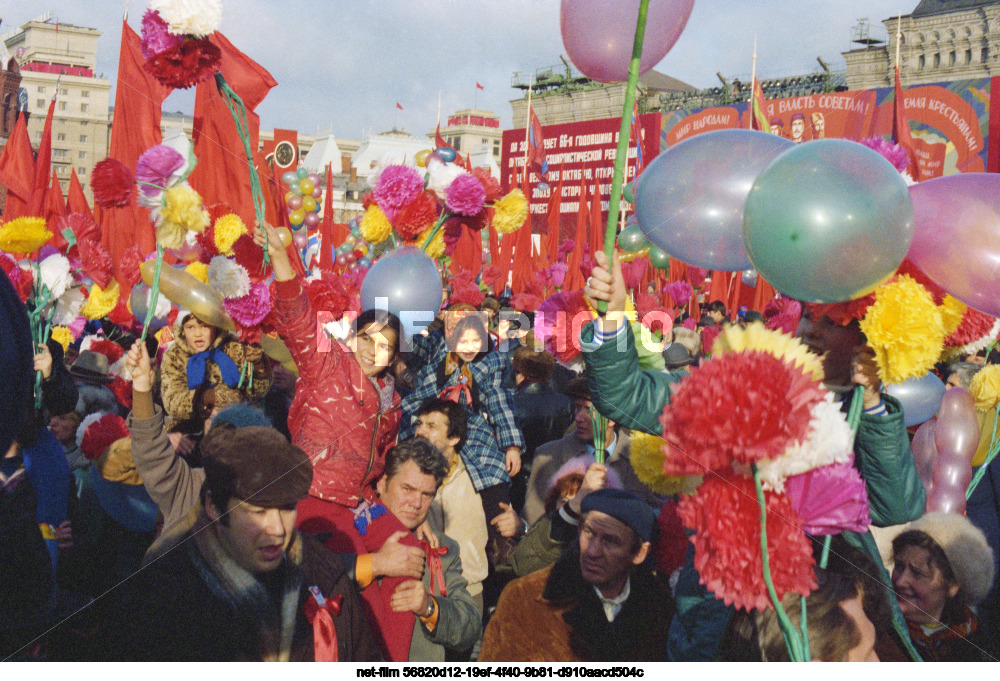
<point x="635" y="398"/>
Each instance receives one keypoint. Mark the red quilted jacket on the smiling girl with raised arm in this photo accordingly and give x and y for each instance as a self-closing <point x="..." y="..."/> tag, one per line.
<point x="335" y="416"/>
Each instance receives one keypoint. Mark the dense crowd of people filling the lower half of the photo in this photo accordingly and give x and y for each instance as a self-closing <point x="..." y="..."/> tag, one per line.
<point x="447" y="502"/>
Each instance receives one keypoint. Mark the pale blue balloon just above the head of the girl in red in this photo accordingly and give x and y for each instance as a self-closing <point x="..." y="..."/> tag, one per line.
<point x="407" y="283"/>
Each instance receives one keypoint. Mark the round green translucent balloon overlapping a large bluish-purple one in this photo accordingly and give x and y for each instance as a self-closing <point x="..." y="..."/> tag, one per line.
<point x="827" y="221"/>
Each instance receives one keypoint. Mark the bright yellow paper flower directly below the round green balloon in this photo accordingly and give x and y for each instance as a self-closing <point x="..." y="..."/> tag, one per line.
<point x="904" y="328"/>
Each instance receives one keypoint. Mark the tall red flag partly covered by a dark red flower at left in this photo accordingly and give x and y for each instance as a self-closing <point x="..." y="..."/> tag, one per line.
<point x="138" y="99"/>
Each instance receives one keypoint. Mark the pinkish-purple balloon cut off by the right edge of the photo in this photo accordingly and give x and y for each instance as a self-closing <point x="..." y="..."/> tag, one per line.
<point x="956" y="241"/>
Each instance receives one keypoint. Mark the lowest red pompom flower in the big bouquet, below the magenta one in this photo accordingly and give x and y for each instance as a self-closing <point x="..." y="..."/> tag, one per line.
<point x="726" y="520"/>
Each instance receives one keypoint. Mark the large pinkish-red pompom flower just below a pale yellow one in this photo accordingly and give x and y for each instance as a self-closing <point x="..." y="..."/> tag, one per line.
<point x="743" y="406"/>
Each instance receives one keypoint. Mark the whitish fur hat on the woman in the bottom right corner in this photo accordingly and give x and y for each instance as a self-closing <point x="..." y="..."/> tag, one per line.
<point x="966" y="548"/>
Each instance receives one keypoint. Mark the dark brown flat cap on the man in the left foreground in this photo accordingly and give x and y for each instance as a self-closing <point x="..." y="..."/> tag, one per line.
<point x="255" y="464"/>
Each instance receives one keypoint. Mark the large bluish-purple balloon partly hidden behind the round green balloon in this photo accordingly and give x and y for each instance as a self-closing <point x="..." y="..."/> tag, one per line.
<point x="690" y="199"/>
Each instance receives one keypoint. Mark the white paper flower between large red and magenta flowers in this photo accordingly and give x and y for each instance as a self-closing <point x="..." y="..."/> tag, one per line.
<point x="829" y="441"/>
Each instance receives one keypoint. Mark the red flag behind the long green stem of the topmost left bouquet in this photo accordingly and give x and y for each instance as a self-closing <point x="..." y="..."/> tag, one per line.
<point x="222" y="174"/>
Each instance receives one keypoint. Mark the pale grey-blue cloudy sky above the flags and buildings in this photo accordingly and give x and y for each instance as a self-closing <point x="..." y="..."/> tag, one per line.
<point x="346" y="63"/>
